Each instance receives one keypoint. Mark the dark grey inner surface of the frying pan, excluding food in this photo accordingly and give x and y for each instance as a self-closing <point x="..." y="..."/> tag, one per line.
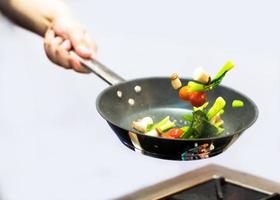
<point x="158" y="99"/>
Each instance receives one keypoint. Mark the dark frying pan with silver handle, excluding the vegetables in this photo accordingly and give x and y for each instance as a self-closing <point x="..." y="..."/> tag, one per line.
<point x="158" y="99"/>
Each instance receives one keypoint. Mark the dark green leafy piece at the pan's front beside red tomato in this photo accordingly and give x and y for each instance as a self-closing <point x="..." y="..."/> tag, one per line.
<point x="201" y="127"/>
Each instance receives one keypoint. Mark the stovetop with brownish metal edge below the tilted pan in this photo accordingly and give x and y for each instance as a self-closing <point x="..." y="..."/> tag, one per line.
<point x="211" y="182"/>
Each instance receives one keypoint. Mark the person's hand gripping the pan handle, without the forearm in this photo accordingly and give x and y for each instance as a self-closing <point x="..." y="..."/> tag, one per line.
<point x="65" y="35"/>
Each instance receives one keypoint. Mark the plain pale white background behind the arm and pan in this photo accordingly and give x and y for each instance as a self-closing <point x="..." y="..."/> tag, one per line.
<point x="53" y="143"/>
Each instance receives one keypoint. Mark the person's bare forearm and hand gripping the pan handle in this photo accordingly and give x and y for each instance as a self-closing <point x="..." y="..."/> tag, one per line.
<point x="52" y="20"/>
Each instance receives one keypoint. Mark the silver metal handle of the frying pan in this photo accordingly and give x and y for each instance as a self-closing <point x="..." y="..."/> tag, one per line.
<point x="100" y="70"/>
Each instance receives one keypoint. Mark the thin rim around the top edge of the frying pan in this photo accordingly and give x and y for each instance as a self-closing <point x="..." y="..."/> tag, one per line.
<point x="238" y="131"/>
